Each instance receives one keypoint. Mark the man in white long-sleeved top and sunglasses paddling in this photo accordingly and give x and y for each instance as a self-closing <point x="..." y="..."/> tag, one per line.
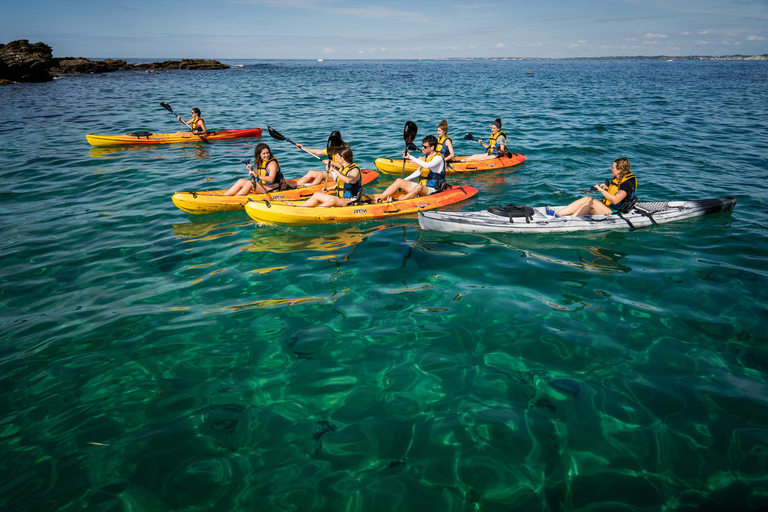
<point x="431" y="173"/>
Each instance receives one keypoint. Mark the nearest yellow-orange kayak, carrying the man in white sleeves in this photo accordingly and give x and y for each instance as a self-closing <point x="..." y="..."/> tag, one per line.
<point x="266" y="212"/>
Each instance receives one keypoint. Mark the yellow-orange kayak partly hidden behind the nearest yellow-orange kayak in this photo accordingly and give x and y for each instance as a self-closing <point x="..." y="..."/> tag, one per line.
<point x="212" y="201"/>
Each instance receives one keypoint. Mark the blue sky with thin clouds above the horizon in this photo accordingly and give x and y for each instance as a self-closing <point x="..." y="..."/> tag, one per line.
<point x="344" y="29"/>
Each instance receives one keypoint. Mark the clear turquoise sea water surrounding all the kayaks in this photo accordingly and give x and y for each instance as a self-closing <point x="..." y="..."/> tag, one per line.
<point x="154" y="360"/>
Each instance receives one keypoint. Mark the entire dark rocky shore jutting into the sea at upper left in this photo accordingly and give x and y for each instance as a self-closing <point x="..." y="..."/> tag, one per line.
<point x="21" y="61"/>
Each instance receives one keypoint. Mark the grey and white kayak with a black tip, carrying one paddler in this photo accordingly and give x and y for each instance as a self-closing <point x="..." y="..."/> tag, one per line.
<point x="642" y="215"/>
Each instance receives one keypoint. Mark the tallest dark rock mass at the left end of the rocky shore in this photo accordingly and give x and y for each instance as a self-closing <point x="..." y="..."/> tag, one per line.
<point x="24" y="62"/>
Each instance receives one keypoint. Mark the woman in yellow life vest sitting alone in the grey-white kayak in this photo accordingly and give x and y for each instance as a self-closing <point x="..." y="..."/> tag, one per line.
<point x="618" y="194"/>
